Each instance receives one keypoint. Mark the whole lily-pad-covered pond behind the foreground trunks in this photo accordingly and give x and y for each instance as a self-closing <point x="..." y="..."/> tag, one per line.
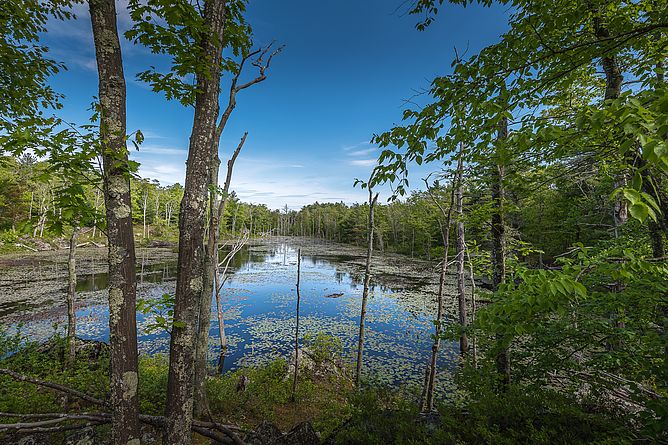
<point x="259" y="301"/>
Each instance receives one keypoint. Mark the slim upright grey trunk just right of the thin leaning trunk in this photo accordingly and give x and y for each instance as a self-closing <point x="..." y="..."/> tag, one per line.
<point x="461" y="247"/>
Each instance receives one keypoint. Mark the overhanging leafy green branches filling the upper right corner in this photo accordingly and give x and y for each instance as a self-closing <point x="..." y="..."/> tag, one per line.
<point x="543" y="77"/>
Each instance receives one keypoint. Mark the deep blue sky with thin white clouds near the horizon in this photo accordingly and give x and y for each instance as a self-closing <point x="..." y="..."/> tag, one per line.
<point x="346" y="73"/>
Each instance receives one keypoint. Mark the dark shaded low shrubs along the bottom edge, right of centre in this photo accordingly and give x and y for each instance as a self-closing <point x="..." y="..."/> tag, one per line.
<point x="513" y="417"/>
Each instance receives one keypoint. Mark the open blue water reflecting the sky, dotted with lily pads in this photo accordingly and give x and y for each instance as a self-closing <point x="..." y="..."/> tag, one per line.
<point x="259" y="301"/>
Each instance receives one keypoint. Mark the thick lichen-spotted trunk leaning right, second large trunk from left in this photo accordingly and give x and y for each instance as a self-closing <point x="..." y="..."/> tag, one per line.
<point x="192" y="225"/>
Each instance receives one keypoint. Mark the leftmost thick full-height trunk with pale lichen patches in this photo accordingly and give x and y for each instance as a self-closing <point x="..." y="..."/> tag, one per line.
<point x="122" y="279"/>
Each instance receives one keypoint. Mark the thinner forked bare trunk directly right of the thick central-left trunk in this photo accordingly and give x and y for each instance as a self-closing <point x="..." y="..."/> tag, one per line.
<point x="217" y="210"/>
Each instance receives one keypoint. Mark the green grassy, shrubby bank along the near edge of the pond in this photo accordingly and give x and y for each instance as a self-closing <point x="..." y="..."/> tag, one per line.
<point x="338" y="412"/>
